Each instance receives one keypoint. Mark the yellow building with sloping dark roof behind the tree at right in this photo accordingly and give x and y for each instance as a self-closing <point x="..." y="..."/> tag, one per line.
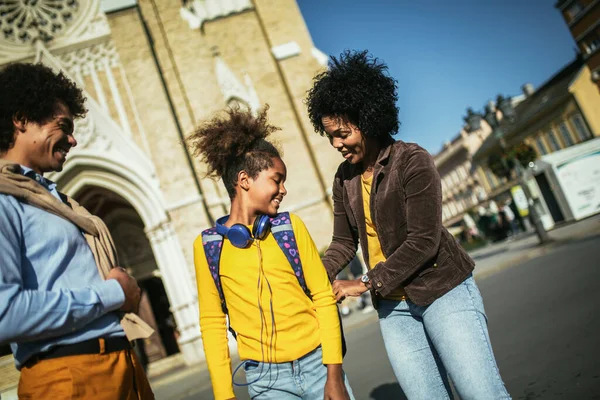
<point x="559" y="114"/>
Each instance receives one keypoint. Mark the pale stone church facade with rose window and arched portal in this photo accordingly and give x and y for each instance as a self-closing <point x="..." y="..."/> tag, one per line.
<point x="151" y="71"/>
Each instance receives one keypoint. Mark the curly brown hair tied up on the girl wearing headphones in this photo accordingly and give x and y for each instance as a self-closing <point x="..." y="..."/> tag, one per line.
<point x="233" y="143"/>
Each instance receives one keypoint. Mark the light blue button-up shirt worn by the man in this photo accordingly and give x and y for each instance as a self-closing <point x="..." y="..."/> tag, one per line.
<point x="51" y="292"/>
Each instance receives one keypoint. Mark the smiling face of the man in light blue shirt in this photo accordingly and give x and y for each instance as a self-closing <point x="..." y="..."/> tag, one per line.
<point x="43" y="147"/>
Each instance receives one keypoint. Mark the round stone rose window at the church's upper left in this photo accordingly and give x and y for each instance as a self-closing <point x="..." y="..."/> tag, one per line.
<point x="22" y="21"/>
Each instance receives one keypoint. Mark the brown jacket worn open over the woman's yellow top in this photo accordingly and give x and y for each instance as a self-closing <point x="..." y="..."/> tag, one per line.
<point x="406" y="206"/>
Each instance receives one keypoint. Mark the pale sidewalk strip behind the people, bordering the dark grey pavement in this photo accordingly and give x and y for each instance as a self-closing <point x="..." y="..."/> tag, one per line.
<point x="489" y="260"/>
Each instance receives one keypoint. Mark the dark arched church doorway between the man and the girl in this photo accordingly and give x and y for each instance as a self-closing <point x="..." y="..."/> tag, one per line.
<point x="135" y="254"/>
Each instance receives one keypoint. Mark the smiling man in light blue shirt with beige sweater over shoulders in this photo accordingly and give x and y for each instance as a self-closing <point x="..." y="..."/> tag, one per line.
<point x="65" y="305"/>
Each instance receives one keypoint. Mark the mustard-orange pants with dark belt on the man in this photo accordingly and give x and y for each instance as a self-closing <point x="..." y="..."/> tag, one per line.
<point x="109" y="376"/>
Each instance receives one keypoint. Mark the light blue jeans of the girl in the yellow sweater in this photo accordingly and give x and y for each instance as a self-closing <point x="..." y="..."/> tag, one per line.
<point x="300" y="379"/>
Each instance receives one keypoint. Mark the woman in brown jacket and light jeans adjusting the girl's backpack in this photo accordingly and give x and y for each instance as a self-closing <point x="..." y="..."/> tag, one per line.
<point x="387" y="197"/>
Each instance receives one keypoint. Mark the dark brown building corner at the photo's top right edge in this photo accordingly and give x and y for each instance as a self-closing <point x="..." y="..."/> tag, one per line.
<point x="583" y="19"/>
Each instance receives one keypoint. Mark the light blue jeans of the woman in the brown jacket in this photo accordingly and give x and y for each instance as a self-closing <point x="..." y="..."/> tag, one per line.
<point x="448" y="337"/>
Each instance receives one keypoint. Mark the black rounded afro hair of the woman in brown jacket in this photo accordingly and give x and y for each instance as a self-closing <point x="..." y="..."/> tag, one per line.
<point x="356" y="86"/>
